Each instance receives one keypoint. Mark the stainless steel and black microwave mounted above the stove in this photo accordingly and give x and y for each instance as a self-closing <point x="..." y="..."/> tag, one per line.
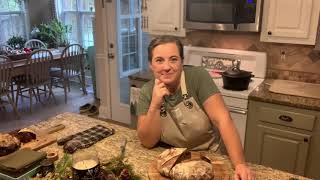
<point x="224" y="15"/>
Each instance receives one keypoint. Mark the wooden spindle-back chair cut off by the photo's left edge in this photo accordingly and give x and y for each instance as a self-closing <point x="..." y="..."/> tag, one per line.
<point x="6" y="67"/>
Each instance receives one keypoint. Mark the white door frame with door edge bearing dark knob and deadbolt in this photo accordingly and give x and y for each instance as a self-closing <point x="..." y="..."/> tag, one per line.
<point x="107" y="64"/>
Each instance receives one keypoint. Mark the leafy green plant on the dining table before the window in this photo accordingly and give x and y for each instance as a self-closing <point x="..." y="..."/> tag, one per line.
<point x="54" y="33"/>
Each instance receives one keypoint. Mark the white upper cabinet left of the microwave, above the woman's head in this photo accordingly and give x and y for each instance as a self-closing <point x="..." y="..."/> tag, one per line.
<point x="163" y="17"/>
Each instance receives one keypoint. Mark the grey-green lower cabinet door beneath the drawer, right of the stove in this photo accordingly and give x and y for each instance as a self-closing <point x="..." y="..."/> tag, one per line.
<point x="281" y="149"/>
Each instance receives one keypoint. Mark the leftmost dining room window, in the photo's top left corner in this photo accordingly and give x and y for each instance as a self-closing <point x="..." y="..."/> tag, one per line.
<point x="12" y="19"/>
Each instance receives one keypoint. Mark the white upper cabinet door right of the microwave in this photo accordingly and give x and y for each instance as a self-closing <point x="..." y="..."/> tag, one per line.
<point x="290" y="21"/>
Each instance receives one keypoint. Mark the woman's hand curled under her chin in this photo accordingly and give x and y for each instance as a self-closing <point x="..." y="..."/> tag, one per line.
<point x="159" y="91"/>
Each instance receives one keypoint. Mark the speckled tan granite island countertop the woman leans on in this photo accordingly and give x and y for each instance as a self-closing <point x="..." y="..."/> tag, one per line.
<point x="137" y="155"/>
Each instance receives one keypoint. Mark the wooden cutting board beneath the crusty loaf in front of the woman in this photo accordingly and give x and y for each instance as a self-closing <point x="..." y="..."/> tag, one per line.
<point x="219" y="170"/>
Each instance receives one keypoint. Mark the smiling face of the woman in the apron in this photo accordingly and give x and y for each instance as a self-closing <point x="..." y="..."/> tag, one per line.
<point x="166" y="63"/>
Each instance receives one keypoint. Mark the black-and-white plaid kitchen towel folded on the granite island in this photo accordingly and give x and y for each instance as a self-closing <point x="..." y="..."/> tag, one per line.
<point x="85" y="138"/>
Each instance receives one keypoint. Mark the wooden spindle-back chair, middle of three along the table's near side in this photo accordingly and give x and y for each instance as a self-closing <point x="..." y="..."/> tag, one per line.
<point x="37" y="74"/>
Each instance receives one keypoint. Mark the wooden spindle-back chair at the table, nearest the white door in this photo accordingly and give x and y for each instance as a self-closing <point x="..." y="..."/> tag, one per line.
<point x="71" y="65"/>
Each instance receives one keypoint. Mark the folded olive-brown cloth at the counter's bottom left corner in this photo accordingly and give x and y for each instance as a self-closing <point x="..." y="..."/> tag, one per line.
<point x="21" y="160"/>
